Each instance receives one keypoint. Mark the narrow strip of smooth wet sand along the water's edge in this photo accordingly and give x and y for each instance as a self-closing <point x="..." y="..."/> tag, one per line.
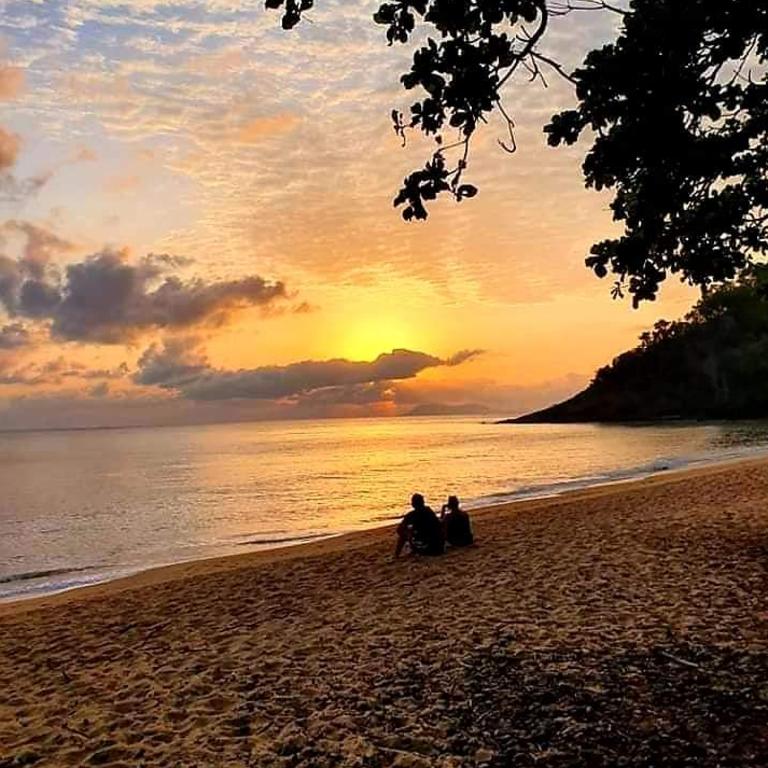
<point x="343" y="541"/>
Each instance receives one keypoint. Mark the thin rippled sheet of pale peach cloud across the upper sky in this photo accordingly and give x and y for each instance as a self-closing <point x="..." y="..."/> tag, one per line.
<point x="187" y="77"/>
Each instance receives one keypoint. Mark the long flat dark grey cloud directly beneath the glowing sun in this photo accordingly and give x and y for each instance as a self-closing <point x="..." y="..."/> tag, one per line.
<point x="178" y="366"/>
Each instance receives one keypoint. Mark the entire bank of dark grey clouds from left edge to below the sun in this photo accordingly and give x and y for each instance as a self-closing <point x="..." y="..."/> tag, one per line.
<point x="107" y="298"/>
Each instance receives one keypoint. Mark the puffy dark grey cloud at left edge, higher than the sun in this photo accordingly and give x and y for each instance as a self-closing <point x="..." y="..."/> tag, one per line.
<point x="106" y="299"/>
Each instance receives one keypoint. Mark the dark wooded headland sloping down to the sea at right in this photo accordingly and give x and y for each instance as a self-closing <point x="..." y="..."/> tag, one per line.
<point x="713" y="364"/>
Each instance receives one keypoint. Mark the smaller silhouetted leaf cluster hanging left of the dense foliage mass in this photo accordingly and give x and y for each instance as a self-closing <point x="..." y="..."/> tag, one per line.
<point x="472" y="48"/>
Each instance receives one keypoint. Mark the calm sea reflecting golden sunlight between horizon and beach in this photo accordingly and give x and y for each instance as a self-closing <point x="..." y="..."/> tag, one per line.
<point x="84" y="506"/>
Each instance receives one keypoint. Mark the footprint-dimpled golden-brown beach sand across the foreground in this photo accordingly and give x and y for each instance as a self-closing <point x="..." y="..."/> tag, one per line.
<point x="621" y="626"/>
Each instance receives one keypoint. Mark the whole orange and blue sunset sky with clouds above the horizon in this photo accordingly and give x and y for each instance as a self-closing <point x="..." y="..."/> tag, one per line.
<point x="196" y="225"/>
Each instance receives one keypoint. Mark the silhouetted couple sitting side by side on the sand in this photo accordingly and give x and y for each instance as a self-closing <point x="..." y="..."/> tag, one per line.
<point x="426" y="534"/>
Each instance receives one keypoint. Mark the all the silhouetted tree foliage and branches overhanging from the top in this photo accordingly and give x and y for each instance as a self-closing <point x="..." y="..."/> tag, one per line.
<point x="676" y="108"/>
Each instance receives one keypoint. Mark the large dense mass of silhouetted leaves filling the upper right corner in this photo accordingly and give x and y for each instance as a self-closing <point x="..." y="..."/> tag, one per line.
<point x="677" y="108"/>
